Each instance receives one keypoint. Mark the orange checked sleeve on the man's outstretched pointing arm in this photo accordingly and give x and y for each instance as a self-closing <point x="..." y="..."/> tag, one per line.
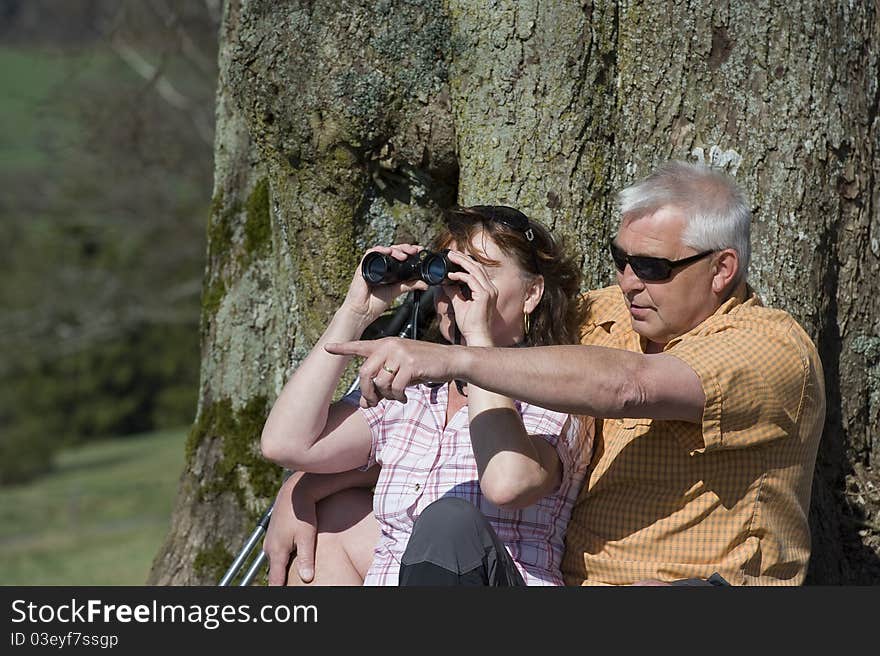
<point x="753" y="376"/>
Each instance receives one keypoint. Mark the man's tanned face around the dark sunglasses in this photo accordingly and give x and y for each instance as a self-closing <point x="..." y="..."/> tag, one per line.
<point x="661" y="311"/>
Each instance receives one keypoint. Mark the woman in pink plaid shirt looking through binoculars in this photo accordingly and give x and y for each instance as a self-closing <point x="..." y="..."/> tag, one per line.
<point x="520" y="465"/>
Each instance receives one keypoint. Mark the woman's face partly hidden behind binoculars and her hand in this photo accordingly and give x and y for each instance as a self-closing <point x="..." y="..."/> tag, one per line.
<point x="506" y="324"/>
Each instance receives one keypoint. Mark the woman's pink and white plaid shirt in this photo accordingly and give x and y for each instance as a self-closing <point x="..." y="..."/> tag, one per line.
<point x="422" y="461"/>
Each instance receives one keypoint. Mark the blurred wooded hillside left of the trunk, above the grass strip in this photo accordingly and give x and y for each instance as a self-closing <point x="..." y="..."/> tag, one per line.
<point x="106" y="169"/>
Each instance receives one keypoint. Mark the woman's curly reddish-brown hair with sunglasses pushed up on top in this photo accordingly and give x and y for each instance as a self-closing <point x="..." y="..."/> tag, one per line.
<point x="558" y="316"/>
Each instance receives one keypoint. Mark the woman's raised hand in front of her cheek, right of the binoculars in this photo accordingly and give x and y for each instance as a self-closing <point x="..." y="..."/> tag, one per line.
<point x="474" y="315"/>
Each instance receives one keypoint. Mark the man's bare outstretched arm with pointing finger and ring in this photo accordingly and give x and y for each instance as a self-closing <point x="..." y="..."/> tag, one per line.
<point x="591" y="380"/>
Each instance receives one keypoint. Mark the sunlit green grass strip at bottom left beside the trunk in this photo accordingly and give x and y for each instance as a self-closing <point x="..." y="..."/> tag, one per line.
<point x="98" y="519"/>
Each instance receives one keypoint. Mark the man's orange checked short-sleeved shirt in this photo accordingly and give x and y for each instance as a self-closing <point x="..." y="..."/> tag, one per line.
<point x="671" y="499"/>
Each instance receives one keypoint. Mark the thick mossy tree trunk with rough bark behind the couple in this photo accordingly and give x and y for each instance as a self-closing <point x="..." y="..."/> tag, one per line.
<point x="343" y="124"/>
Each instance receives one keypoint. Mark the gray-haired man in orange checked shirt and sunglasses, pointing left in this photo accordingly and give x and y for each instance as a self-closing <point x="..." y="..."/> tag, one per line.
<point x="711" y="405"/>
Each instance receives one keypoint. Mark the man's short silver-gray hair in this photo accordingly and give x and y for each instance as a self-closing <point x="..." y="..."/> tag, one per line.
<point x="716" y="211"/>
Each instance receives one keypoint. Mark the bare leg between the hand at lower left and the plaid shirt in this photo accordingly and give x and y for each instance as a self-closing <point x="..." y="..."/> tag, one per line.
<point x="347" y="535"/>
